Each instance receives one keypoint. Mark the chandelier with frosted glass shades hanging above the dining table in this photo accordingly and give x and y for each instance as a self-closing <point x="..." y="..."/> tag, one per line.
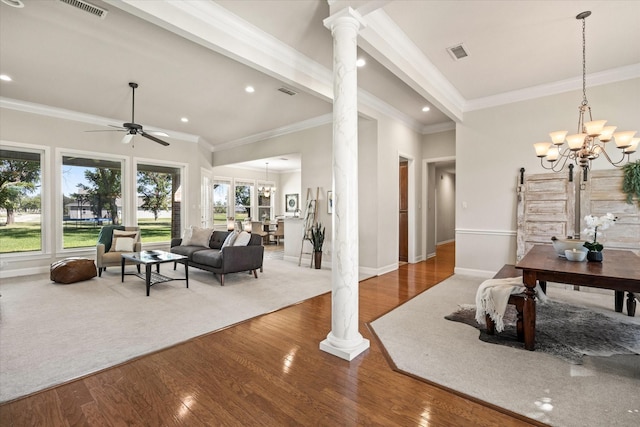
<point x="592" y="136"/>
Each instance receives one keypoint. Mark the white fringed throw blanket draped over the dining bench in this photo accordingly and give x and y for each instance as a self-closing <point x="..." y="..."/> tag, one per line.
<point x="492" y="298"/>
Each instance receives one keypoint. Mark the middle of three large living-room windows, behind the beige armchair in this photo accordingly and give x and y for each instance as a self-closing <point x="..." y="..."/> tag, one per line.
<point x="91" y="197"/>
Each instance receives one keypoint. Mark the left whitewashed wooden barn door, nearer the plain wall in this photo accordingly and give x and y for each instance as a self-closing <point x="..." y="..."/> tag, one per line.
<point x="546" y="208"/>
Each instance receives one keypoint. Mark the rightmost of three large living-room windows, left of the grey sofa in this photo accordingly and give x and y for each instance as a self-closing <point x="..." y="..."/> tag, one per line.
<point x="158" y="207"/>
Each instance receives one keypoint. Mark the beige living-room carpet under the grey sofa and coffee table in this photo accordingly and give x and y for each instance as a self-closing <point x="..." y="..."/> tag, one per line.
<point x="52" y="333"/>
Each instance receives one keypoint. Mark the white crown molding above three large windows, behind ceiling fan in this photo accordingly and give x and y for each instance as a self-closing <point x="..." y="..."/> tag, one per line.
<point x="61" y="113"/>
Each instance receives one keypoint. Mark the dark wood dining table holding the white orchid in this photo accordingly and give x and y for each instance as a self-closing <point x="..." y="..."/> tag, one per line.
<point x="619" y="271"/>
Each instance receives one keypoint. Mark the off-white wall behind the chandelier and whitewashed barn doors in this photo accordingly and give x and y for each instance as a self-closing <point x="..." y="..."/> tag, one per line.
<point x="494" y="143"/>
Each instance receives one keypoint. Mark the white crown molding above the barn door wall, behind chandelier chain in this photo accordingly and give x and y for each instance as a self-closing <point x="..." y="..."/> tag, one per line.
<point x="596" y="79"/>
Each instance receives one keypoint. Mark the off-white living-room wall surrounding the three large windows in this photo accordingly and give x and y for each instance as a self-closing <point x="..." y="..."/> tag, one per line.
<point x="52" y="134"/>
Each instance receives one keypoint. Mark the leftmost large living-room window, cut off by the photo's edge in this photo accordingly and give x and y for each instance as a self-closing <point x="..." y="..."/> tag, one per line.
<point x="20" y="200"/>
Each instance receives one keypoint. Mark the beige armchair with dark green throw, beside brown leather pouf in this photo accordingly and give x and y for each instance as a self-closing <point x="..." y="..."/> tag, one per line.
<point x="113" y="241"/>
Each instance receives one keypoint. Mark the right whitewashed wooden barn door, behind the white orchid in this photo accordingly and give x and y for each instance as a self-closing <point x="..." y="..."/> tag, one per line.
<point x="601" y="194"/>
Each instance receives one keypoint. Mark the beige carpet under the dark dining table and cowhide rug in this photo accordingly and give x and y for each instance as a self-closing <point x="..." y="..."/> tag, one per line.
<point x="603" y="391"/>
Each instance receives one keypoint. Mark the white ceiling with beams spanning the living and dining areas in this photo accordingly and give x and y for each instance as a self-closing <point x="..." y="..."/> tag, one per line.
<point x="61" y="57"/>
